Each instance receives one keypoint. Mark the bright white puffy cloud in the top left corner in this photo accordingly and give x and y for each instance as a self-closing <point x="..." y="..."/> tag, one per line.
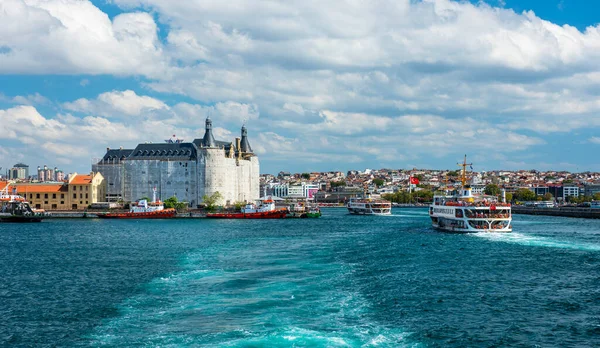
<point x="74" y="36"/>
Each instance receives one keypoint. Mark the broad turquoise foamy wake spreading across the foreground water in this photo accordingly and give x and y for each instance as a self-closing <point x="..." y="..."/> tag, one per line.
<point x="276" y="301"/>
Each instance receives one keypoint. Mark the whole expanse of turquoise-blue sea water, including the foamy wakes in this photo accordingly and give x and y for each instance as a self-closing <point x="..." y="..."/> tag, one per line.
<point x="338" y="281"/>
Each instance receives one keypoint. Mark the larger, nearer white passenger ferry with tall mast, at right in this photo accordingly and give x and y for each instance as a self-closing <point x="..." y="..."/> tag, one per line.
<point x="463" y="212"/>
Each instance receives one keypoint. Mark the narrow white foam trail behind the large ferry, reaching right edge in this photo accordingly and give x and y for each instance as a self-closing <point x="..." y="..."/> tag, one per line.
<point x="537" y="241"/>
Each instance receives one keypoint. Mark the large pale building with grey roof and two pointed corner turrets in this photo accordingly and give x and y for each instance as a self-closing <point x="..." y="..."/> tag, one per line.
<point x="187" y="171"/>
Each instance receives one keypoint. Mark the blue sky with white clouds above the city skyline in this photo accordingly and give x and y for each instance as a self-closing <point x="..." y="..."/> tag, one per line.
<point x="320" y="85"/>
